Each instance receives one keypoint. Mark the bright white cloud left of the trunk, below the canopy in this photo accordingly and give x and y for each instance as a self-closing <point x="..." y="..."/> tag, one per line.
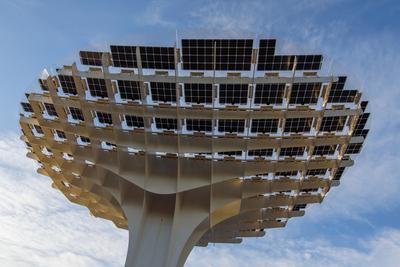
<point x="40" y="227"/>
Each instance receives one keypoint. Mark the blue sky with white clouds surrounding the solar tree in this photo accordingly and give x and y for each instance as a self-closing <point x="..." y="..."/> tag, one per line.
<point x="358" y="224"/>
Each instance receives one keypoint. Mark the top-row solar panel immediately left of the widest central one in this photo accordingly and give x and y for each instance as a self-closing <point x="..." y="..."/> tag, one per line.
<point x="157" y="57"/>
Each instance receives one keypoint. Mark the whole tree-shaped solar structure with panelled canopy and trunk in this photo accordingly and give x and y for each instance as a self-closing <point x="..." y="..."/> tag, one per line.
<point x="211" y="140"/>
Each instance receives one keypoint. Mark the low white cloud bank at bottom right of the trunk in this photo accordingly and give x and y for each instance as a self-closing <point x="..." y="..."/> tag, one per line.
<point x="280" y="251"/>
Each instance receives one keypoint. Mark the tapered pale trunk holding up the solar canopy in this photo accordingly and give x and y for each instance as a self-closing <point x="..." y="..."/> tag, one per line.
<point x="163" y="229"/>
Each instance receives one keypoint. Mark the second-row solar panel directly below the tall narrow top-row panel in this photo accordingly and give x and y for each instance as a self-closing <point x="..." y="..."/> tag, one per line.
<point x="269" y="93"/>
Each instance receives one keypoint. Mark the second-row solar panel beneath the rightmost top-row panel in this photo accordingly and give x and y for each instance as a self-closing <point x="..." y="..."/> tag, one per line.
<point x="305" y="93"/>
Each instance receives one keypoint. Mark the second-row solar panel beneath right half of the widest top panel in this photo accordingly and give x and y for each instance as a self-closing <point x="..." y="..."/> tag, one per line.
<point x="233" y="93"/>
